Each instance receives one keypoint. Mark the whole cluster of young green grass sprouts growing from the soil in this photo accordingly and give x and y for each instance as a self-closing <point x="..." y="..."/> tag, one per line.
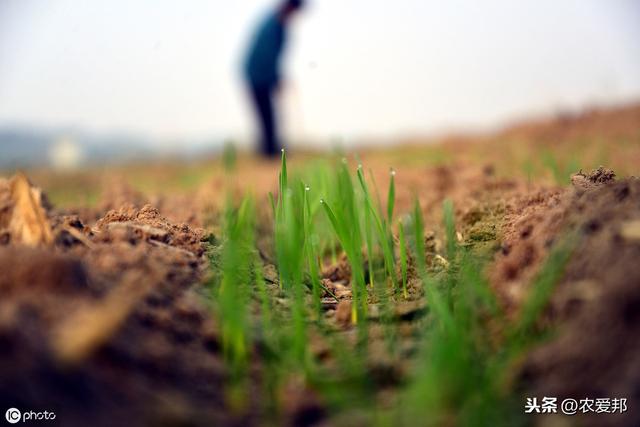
<point x="458" y="374"/>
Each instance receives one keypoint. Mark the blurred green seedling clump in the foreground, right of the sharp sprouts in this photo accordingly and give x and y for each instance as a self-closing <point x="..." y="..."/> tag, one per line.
<point x="463" y="373"/>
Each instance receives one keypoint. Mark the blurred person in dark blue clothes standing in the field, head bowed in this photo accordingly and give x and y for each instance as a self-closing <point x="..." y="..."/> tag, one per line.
<point x="262" y="71"/>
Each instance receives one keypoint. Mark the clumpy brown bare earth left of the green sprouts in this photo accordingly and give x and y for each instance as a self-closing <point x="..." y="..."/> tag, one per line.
<point x="101" y="323"/>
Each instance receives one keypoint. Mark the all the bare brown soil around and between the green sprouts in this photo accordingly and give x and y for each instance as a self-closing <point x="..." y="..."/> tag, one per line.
<point x="105" y="322"/>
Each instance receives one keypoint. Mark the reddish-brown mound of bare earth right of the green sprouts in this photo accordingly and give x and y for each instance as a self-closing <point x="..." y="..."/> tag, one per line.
<point x="596" y="307"/>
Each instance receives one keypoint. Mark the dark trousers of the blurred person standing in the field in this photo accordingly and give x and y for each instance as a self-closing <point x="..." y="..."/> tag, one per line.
<point x="264" y="106"/>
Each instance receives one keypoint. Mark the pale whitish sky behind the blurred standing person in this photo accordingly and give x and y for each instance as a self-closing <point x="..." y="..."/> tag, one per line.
<point x="356" y="68"/>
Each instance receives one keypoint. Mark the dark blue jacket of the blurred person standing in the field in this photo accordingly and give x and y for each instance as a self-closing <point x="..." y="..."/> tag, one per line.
<point x="262" y="63"/>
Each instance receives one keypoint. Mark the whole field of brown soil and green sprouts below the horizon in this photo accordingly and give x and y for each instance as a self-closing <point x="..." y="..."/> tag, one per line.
<point x="431" y="283"/>
